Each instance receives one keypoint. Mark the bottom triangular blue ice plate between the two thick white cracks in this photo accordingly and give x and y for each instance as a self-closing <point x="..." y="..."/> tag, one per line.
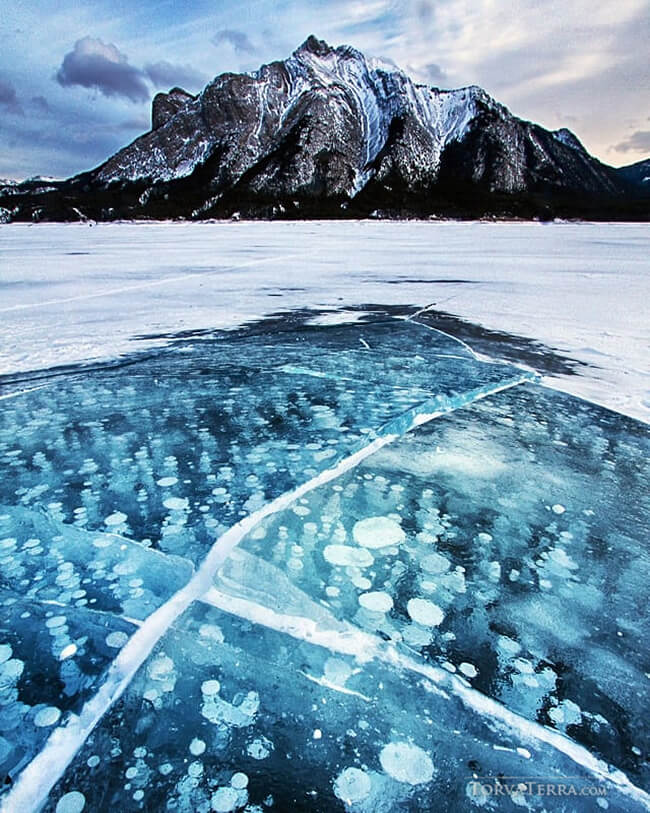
<point x="389" y="739"/>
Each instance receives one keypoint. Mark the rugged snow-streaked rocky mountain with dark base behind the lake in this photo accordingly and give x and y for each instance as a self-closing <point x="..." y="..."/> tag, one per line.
<point x="330" y="133"/>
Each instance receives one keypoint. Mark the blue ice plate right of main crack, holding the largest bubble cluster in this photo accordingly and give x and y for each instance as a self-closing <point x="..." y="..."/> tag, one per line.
<point x="543" y="610"/>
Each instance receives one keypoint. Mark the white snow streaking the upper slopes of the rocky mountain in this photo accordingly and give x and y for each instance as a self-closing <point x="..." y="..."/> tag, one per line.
<point x="375" y="92"/>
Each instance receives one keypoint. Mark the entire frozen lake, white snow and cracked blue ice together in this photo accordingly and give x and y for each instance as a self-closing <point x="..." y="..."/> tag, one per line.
<point x="287" y="521"/>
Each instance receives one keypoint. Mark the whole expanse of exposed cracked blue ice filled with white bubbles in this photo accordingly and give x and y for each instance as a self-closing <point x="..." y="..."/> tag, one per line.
<point x="251" y="571"/>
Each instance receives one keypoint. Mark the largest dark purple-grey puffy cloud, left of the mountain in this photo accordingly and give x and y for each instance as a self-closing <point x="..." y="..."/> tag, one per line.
<point x="95" y="64"/>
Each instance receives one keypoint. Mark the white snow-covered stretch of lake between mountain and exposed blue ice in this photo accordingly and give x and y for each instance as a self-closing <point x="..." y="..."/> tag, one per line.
<point x="74" y="293"/>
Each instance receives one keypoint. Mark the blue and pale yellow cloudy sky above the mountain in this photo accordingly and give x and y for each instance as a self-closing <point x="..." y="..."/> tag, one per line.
<point x="77" y="79"/>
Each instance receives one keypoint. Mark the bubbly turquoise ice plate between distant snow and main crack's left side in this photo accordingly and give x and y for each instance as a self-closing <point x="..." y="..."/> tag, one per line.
<point x="174" y="450"/>
